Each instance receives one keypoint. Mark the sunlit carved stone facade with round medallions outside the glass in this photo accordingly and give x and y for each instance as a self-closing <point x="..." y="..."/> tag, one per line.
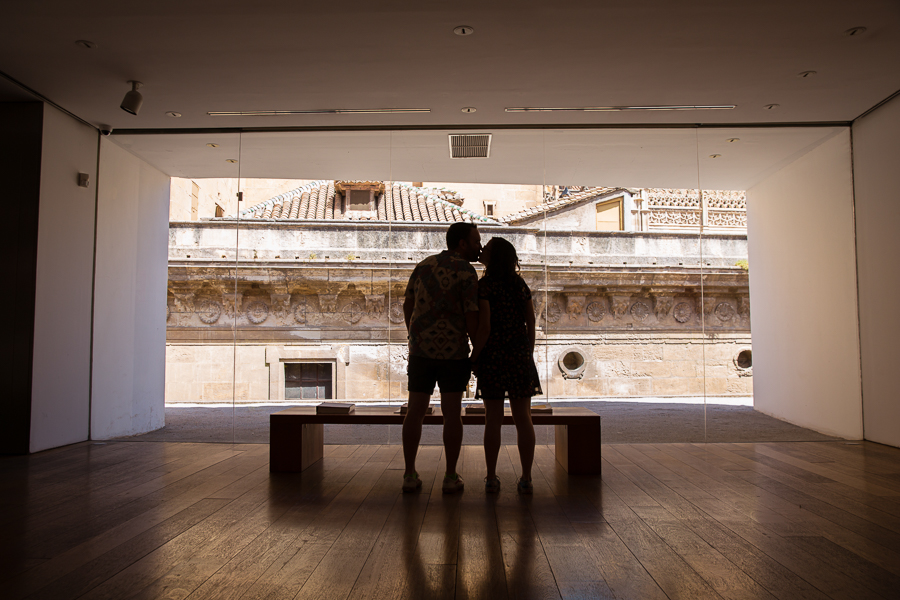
<point x="619" y="314"/>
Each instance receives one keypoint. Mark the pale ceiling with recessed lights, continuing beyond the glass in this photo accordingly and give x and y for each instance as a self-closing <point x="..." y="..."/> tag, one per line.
<point x="197" y="57"/>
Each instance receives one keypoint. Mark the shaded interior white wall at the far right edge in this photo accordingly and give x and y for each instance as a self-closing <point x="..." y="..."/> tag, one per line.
<point x="876" y="148"/>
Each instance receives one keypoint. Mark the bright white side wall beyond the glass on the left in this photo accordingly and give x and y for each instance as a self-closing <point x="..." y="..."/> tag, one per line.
<point x="130" y="292"/>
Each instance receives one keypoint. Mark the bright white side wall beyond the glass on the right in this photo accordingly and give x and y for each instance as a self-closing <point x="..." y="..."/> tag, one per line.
<point x="803" y="292"/>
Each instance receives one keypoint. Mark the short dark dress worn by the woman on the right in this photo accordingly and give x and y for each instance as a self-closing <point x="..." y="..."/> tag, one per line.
<point x="506" y="366"/>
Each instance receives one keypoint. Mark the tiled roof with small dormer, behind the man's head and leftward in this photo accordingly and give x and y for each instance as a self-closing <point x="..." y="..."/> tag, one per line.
<point x="399" y="202"/>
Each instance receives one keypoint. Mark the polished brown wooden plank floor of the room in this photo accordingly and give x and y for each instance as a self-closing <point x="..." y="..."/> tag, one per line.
<point x="180" y="520"/>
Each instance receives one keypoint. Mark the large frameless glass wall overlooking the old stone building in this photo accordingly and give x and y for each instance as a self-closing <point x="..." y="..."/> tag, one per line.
<point x="290" y="254"/>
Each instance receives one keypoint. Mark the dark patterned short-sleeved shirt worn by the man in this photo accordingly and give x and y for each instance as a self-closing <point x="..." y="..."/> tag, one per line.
<point x="444" y="288"/>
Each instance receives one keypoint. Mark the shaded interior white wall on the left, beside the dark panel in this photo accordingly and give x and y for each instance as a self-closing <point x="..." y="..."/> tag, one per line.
<point x="62" y="324"/>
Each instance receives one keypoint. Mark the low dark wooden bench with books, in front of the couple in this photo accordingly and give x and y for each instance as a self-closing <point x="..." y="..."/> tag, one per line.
<point x="297" y="435"/>
